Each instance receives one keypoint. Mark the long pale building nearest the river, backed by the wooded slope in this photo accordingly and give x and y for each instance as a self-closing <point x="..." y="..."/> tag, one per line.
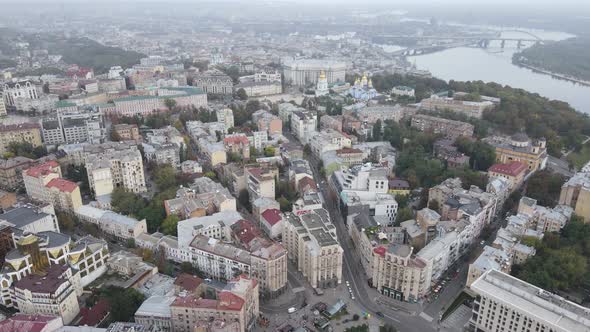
<point x="473" y="109"/>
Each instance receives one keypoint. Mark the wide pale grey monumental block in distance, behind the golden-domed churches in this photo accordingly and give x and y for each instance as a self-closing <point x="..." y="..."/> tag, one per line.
<point x="307" y="71"/>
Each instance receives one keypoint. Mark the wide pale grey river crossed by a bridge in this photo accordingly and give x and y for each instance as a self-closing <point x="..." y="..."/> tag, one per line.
<point x="495" y="65"/>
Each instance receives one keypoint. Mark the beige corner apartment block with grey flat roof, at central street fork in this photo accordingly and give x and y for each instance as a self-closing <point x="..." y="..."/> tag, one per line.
<point x="311" y="242"/>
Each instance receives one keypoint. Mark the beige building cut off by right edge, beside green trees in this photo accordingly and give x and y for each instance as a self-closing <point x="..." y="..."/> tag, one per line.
<point x="575" y="193"/>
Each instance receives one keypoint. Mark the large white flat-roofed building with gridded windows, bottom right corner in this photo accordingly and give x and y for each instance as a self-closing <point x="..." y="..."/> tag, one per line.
<point x="506" y="302"/>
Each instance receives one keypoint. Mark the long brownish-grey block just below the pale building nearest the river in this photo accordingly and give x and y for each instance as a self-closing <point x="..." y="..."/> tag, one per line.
<point x="449" y="128"/>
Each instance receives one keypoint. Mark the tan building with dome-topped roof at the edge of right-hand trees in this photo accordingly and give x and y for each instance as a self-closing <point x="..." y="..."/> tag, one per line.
<point x="519" y="147"/>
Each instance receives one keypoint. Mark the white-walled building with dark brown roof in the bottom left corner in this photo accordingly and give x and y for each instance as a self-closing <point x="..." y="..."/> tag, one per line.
<point x="52" y="293"/>
